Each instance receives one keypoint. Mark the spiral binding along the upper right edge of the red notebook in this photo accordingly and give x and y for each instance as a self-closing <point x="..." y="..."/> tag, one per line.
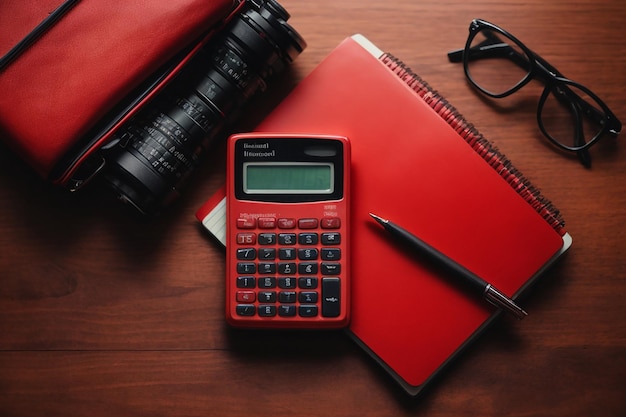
<point x="490" y="153"/>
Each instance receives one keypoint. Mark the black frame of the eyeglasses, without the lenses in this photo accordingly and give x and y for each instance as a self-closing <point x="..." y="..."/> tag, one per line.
<point x="539" y="68"/>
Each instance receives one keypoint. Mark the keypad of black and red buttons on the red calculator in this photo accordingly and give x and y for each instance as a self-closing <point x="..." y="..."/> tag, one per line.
<point x="288" y="267"/>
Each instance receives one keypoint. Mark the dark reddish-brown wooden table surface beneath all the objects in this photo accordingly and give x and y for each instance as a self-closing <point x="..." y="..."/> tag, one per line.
<point x="103" y="313"/>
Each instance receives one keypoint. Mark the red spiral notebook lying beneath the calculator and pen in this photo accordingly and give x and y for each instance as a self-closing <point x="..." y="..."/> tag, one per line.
<point x="417" y="162"/>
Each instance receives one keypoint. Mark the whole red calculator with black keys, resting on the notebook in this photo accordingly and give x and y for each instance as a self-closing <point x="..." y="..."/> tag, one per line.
<point x="287" y="238"/>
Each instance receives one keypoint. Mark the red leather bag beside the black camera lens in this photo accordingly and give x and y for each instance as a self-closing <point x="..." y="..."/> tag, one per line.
<point x="66" y="65"/>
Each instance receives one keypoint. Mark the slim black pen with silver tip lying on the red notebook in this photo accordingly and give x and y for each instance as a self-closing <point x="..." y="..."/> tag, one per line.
<point x="488" y="291"/>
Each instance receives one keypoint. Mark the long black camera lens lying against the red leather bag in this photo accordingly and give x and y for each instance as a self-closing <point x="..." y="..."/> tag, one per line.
<point x="158" y="149"/>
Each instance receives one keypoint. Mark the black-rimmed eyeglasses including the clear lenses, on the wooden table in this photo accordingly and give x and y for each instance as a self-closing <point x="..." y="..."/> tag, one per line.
<point x="569" y="114"/>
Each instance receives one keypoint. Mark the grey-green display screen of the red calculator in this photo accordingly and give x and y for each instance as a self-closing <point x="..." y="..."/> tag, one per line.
<point x="288" y="178"/>
